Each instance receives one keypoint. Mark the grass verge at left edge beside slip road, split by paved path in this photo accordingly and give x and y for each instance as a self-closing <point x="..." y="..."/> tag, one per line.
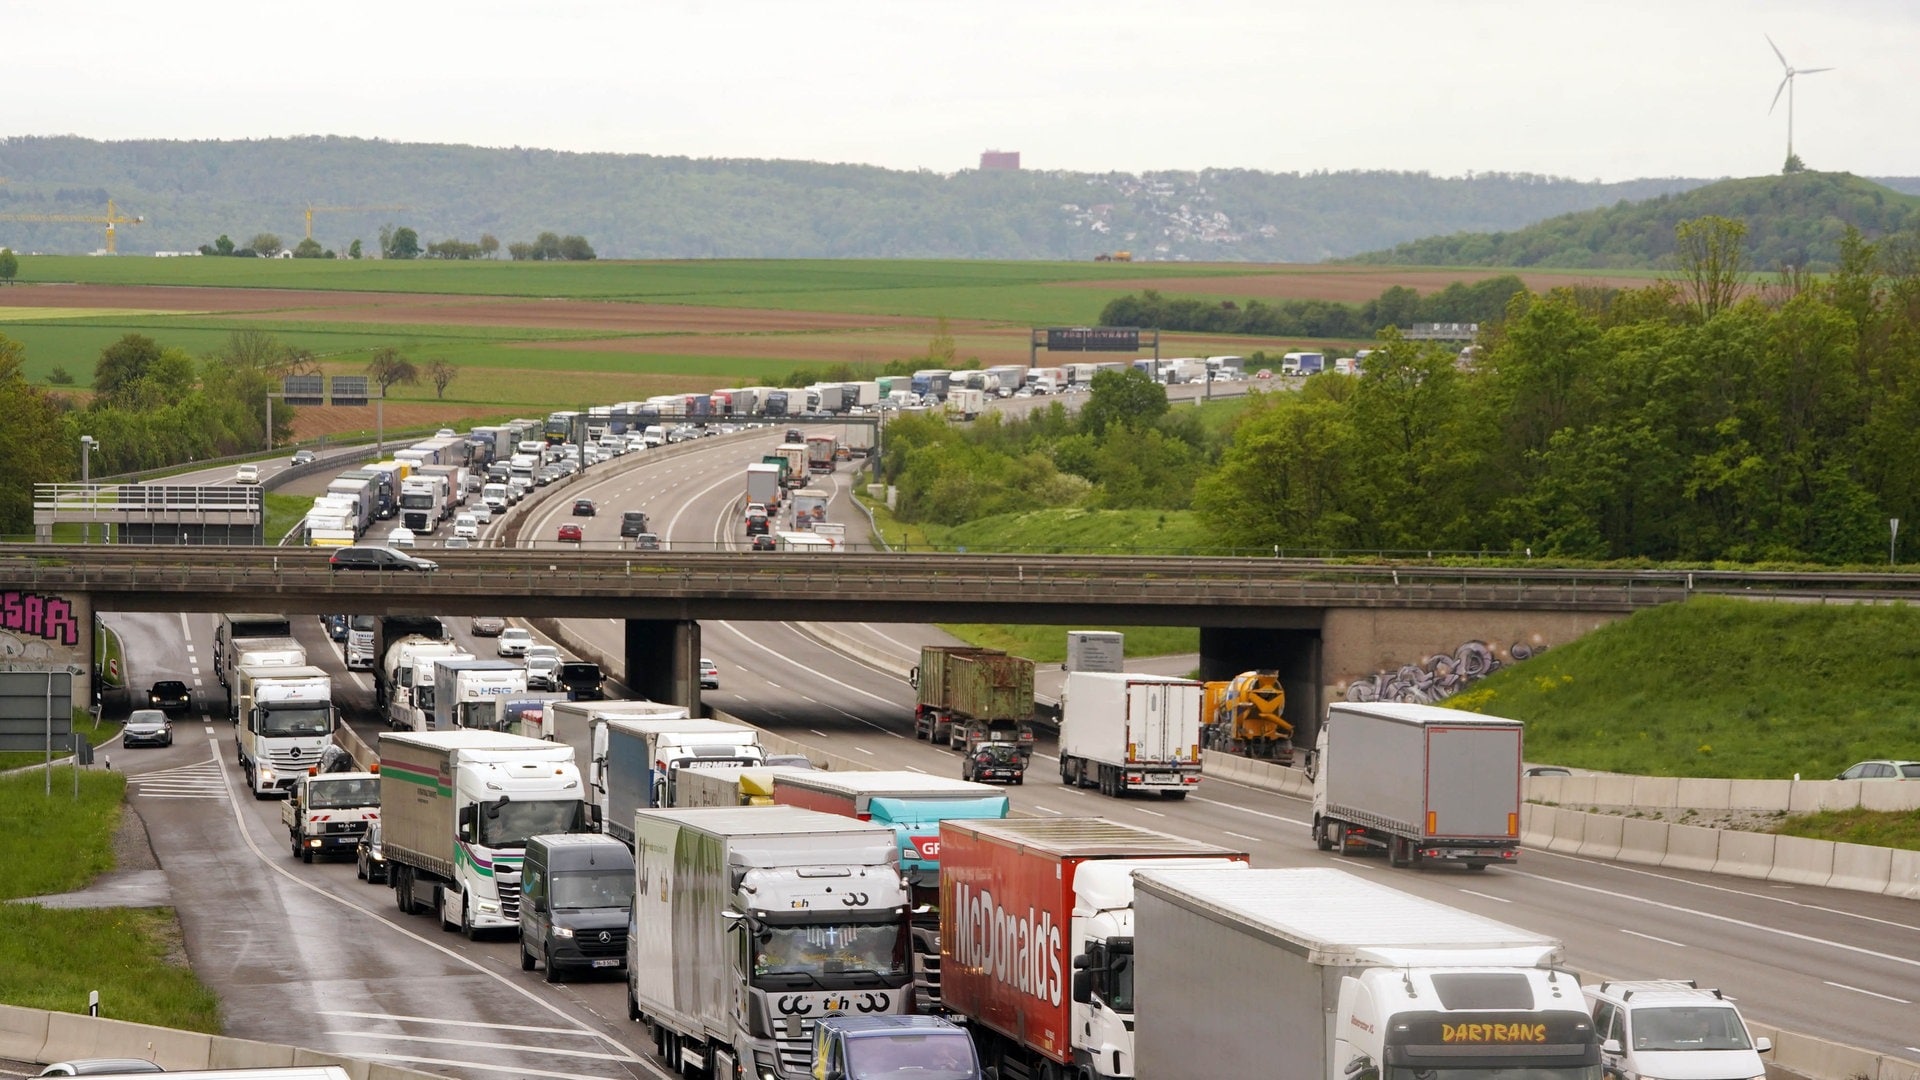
<point x="53" y="958"/>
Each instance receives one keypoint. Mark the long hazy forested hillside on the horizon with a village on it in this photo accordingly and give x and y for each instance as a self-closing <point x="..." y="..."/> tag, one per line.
<point x="642" y="207"/>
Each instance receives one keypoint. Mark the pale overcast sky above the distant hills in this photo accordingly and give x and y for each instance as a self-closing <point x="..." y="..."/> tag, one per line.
<point x="1560" y="87"/>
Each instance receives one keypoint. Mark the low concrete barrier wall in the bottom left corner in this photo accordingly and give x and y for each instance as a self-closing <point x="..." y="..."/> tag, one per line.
<point x="43" y="1037"/>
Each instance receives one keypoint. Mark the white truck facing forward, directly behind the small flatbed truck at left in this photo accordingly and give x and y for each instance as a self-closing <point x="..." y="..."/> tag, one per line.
<point x="285" y="724"/>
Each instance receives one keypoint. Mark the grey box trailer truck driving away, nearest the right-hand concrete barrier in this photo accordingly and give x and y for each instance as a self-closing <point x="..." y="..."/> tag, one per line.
<point x="1424" y="783"/>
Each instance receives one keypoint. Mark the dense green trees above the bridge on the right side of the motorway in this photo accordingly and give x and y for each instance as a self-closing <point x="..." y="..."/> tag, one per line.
<point x="1706" y="418"/>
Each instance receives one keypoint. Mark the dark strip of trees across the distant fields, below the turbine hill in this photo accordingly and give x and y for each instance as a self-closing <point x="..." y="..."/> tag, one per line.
<point x="1399" y="307"/>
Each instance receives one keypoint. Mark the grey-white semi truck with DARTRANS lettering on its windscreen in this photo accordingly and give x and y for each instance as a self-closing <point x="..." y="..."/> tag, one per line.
<point x="1322" y="975"/>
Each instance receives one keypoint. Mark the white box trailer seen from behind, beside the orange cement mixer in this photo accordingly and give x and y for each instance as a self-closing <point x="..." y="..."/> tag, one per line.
<point x="1130" y="733"/>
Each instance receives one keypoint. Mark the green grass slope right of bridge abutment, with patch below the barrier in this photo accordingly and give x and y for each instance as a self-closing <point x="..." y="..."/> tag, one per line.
<point x="1729" y="689"/>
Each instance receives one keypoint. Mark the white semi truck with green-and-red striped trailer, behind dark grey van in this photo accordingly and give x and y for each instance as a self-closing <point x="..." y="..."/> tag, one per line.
<point x="456" y="814"/>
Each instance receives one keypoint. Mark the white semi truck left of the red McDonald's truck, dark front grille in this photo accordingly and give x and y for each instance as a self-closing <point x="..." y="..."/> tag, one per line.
<point x="754" y="923"/>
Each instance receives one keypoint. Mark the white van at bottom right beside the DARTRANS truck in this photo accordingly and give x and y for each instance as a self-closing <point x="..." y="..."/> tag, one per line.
<point x="1671" y="1031"/>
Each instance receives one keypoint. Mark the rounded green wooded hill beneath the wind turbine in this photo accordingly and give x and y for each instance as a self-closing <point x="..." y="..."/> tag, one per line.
<point x="1794" y="220"/>
